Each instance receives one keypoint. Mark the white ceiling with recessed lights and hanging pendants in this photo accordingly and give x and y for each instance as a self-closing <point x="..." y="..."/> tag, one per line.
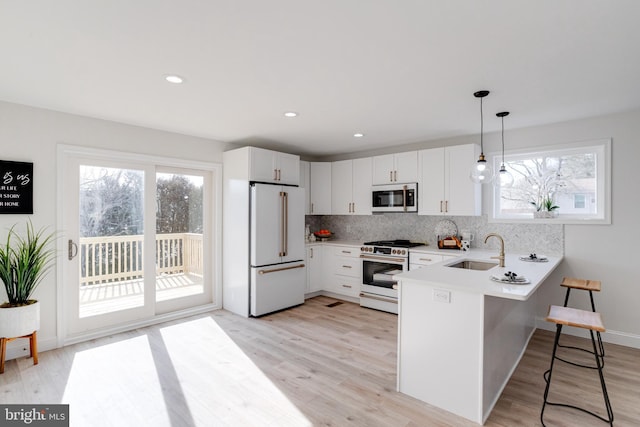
<point x="400" y="71"/>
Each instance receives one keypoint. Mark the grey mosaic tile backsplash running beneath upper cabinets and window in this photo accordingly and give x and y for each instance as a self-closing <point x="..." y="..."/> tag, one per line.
<point x="522" y="238"/>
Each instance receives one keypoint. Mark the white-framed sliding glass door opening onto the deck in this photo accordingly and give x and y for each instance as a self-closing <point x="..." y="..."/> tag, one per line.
<point x="138" y="237"/>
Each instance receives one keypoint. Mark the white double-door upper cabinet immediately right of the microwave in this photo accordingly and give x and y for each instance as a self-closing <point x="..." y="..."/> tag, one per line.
<point x="444" y="187"/>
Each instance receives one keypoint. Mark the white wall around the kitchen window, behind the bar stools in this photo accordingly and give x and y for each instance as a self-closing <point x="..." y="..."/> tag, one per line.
<point x="600" y="252"/>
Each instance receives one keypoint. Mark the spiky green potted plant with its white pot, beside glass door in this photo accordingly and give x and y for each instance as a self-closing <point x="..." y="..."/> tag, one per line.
<point x="24" y="262"/>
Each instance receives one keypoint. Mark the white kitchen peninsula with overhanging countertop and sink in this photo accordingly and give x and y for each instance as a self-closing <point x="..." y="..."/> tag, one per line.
<point x="461" y="334"/>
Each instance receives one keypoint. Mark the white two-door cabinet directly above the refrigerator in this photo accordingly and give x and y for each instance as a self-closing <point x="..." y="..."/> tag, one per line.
<point x="274" y="167"/>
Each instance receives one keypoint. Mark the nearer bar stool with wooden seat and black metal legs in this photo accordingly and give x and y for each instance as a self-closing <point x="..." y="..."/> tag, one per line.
<point x="580" y="319"/>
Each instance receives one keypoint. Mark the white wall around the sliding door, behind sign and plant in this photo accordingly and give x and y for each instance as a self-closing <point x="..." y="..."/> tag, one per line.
<point x="31" y="135"/>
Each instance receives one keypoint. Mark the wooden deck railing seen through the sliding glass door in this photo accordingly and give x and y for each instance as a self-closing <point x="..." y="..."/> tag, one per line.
<point x="115" y="258"/>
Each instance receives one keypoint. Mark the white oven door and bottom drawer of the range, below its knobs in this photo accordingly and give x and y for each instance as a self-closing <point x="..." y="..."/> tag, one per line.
<point x="378" y="289"/>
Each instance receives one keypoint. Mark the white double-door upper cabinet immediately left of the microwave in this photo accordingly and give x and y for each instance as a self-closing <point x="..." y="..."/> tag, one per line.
<point x="351" y="187"/>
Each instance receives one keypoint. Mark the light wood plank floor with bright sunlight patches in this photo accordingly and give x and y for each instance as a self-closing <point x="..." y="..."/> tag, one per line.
<point x="313" y="365"/>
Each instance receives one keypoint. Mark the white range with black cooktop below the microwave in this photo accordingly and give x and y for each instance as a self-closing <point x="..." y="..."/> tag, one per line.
<point x="380" y="261"/>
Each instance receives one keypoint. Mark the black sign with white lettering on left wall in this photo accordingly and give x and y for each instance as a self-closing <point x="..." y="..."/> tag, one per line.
<point x="16" y="187"/>
